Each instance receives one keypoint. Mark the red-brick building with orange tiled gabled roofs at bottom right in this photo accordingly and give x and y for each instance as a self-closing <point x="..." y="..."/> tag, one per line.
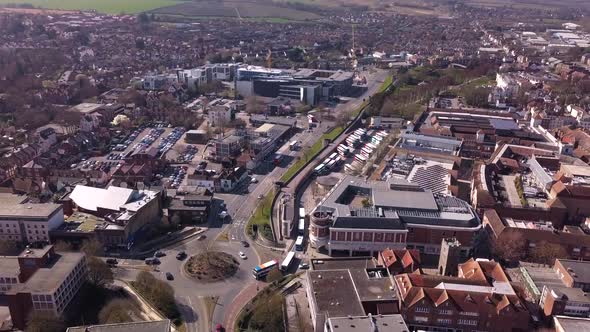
<point x="480" y="298"/>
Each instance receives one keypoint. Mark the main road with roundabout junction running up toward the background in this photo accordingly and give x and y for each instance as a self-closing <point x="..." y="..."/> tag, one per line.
<point x="226" y="236"/>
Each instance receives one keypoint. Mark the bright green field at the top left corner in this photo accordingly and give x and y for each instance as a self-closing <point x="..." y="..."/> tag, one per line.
<point x="103" y="6"/>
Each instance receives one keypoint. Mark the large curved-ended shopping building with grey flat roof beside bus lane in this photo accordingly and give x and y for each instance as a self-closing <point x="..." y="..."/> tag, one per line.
<point x="400" y="215"/>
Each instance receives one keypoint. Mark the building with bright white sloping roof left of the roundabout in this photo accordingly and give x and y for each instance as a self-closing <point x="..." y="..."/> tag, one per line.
<point x="115" y="216"/>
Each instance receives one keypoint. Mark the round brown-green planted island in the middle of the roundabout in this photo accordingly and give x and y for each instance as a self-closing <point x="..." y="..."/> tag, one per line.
<point x="211" y="266"/>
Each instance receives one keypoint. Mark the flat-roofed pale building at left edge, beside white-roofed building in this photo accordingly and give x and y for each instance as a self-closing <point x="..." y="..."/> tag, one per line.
<point x="27" y="222"/>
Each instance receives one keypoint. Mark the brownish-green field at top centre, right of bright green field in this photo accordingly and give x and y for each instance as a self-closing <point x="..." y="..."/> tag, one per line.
<point x="237" y="9"/>
